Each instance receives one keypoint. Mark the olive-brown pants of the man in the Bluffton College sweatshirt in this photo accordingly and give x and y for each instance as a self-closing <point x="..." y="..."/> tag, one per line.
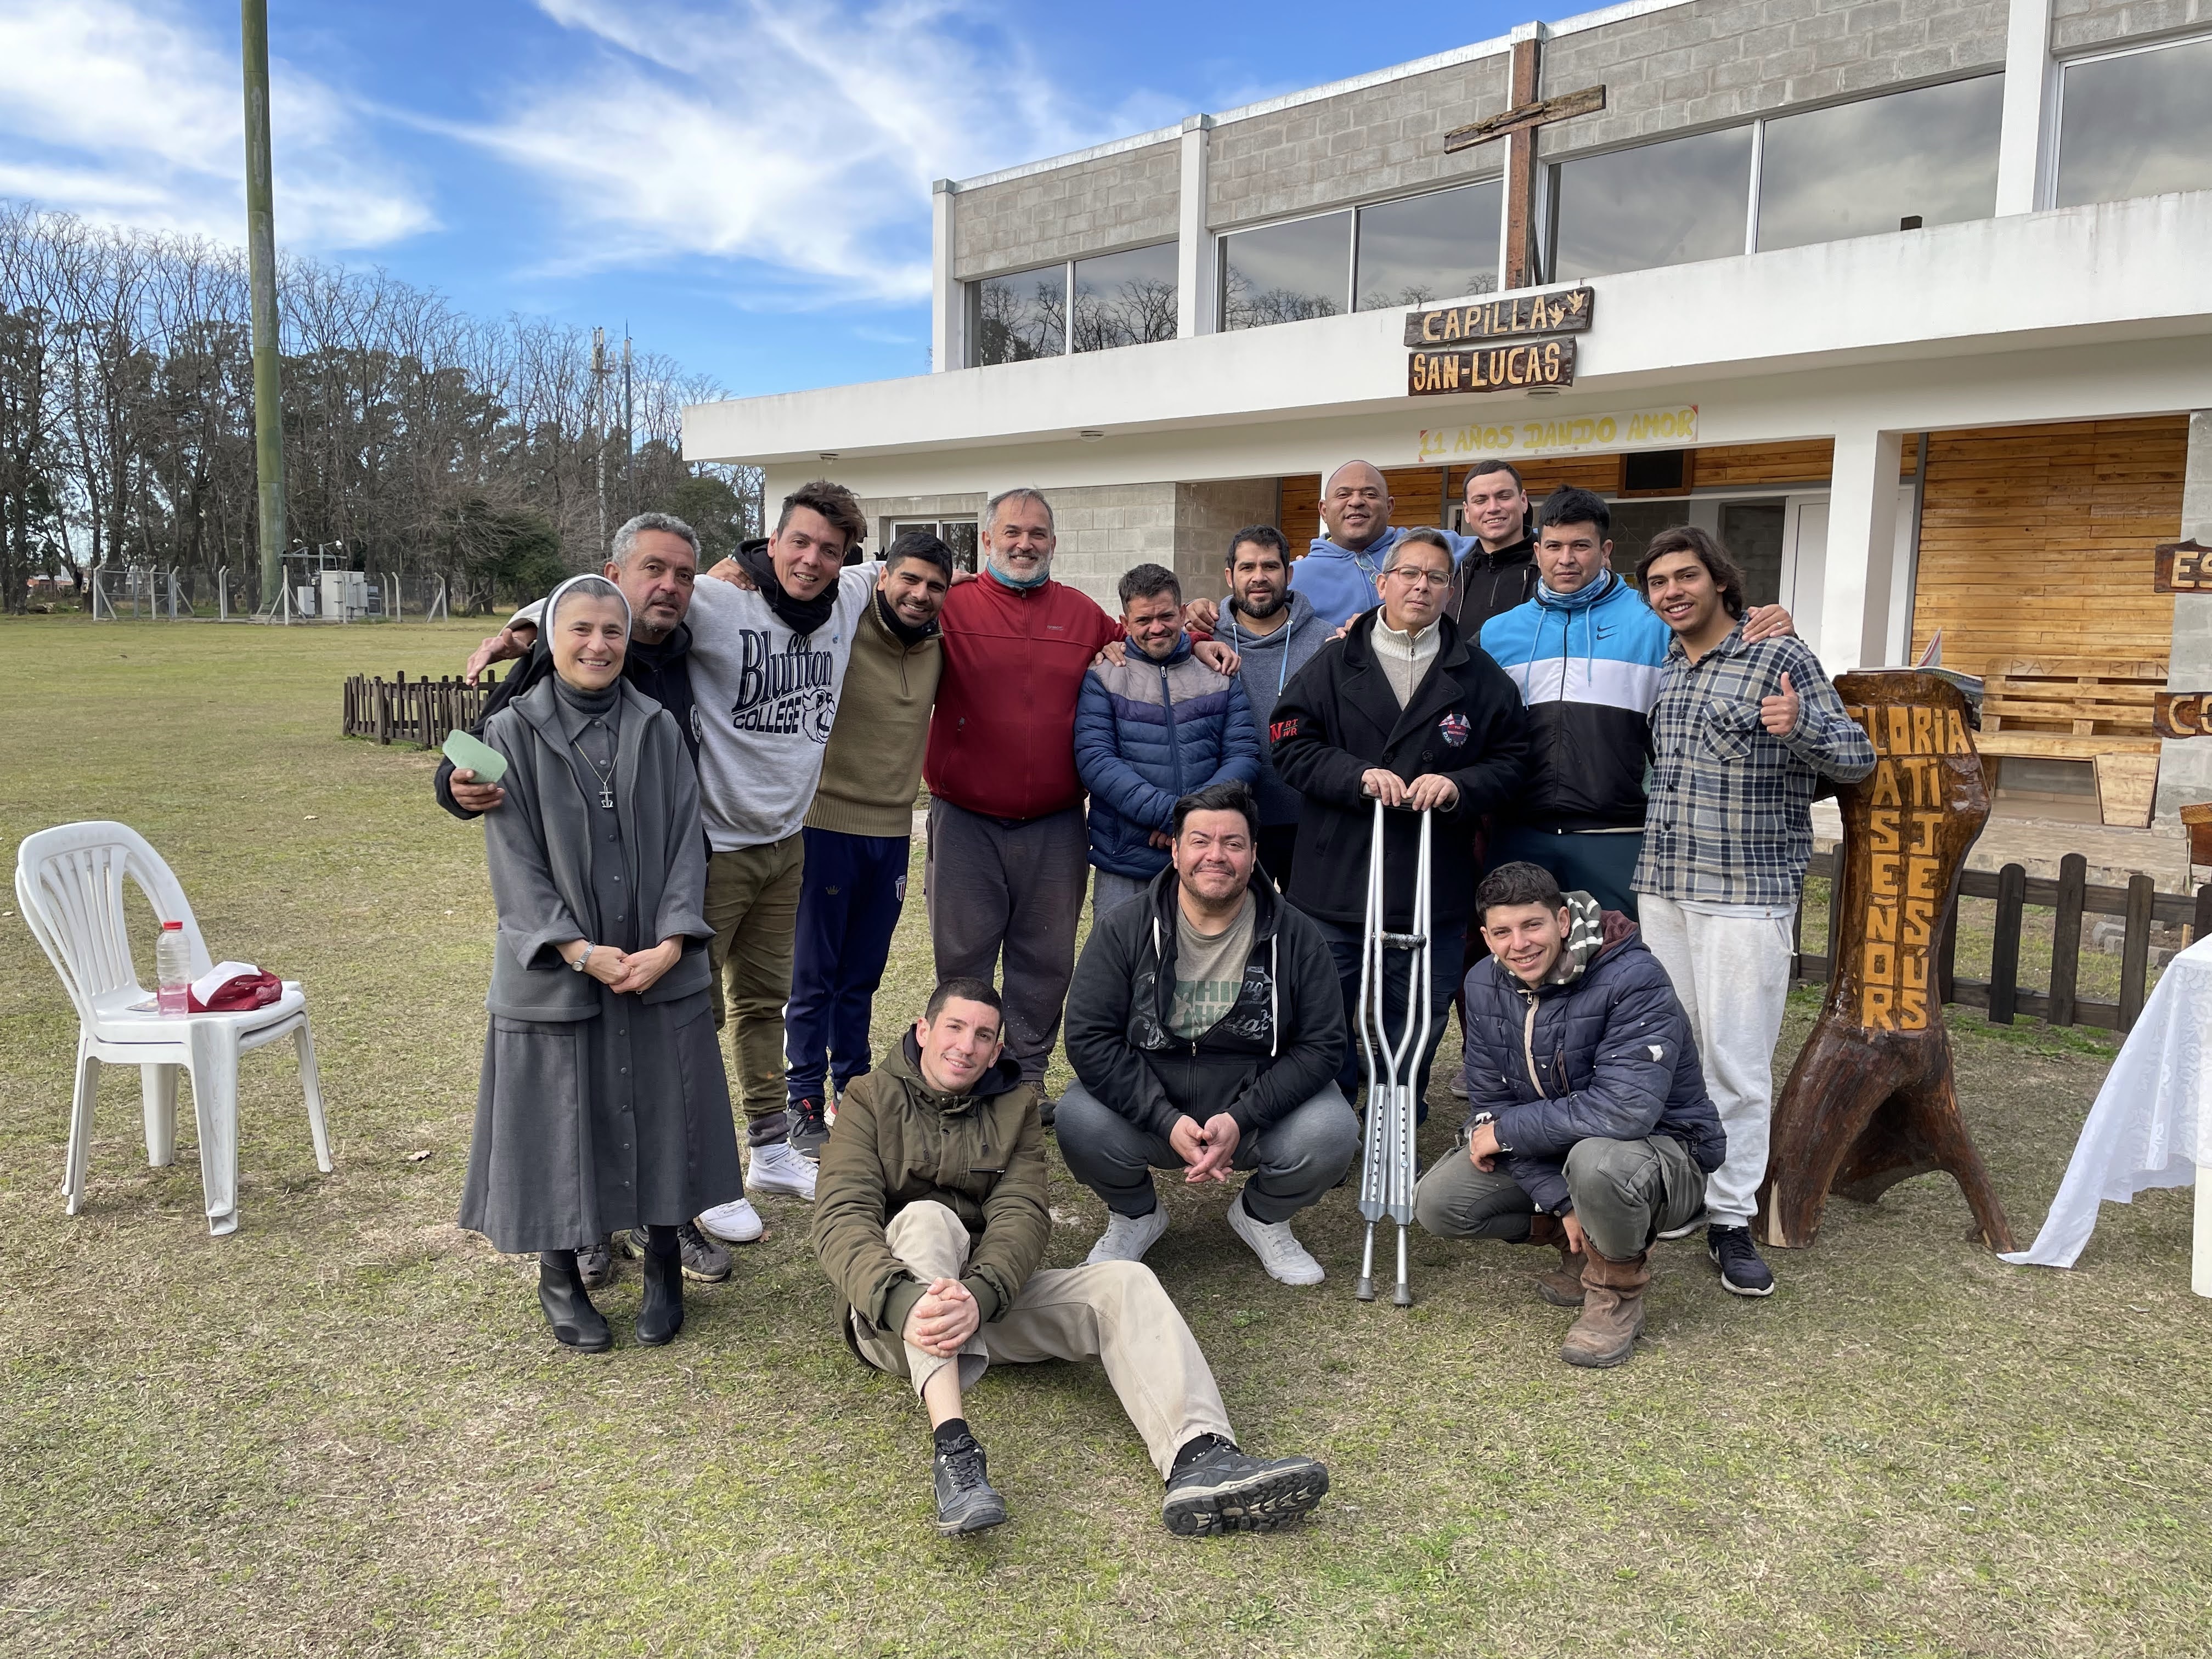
<point x="753" y="908"/>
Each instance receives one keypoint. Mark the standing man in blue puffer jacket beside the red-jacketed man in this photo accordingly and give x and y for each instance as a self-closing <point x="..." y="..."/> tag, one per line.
<point x="1151" y="731"/>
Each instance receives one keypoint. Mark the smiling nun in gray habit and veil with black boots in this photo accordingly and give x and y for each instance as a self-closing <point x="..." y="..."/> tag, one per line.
<point x="603" y="1103"/>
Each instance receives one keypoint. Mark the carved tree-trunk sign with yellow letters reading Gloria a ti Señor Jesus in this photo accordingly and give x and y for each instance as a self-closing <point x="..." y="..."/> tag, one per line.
<point x="1870" y="1098"/>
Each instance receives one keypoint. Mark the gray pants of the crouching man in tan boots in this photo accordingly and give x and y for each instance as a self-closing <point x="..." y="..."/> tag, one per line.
<point x="1625" y="1196"/>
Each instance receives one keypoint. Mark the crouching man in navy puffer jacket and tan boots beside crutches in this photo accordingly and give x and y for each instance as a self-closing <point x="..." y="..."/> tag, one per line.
<point x="1589" y="1116"/>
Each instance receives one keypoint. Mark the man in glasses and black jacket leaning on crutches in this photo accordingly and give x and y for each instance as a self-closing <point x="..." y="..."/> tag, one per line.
<point x="1410" y="713"/>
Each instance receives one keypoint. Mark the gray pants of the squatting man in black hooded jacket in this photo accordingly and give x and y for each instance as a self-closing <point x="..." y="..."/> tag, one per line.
<point x="1293" y="1162"/>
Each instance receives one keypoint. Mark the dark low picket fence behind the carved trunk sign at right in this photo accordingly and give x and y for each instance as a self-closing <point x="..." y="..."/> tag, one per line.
<point x="2072" y="897"/>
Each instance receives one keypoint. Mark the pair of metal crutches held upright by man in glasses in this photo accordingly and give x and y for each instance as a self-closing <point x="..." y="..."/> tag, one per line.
<point x="1392" y="1067"/>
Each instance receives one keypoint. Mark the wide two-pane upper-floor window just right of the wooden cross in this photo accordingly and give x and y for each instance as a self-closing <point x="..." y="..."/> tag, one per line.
<point x="1926" y="156"/>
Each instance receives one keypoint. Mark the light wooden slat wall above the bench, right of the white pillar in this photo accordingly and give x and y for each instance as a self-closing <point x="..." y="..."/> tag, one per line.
<point x="2043" y="534"/>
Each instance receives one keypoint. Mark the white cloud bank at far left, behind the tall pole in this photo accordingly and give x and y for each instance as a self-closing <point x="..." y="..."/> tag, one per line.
<point x="129" y="112"/>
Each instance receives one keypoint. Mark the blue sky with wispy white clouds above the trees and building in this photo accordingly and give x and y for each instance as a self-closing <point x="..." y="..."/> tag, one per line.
<point x="744" y="185"/>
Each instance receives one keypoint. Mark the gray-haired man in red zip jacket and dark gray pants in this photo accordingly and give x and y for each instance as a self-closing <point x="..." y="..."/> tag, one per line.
<point x="1008" y="844"/>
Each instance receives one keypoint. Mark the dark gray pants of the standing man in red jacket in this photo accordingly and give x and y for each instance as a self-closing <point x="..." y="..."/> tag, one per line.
<point x="1010" y="893"/>
